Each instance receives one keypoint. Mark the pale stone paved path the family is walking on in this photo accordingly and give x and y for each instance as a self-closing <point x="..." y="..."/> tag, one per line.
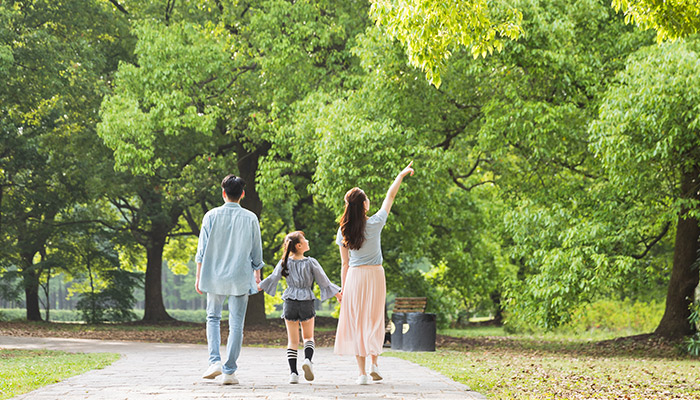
<point x="158" y="371"/>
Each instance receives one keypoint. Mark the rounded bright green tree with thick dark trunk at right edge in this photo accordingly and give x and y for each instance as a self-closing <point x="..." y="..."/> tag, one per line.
<point x="647" y="139"/>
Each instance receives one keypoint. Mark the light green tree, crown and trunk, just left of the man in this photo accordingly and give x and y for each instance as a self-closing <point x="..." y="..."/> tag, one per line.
<point x="164" y="123"/>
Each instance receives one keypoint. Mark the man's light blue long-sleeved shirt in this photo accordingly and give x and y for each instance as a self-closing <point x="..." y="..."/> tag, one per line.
<point x="230" y="249"/>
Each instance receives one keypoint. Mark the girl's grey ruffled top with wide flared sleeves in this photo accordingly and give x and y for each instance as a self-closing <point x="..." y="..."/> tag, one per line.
<point x="302" y="274"/>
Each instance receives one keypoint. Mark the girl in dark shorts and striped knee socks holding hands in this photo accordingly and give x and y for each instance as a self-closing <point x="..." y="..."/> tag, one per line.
<point x="300" y="272"/>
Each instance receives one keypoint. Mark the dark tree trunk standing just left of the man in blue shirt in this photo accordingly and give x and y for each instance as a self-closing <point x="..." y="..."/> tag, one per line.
<point x="154" y="309"/>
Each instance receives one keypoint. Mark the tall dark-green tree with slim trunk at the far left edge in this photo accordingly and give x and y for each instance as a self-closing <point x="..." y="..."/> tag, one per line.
<point x="53" y="58"/>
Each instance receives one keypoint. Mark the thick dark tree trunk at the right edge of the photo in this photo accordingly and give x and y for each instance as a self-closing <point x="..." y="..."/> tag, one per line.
<point x="684" y="275"/>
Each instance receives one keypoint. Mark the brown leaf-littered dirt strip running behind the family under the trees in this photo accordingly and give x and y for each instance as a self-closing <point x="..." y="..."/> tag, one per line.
<point x="273" y="333"/>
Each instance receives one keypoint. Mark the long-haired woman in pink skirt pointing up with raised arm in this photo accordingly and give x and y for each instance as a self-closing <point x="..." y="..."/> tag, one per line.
<point x="361" y="322"/>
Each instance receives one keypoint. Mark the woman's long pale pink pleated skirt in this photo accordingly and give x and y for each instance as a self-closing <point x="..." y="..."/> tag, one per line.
<point x="361" y="322"/>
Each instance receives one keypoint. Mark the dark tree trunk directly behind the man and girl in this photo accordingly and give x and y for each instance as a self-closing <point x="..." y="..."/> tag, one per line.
<point x="247" y="168"/>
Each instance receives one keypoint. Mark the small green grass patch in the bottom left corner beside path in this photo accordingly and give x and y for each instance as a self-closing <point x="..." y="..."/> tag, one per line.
<point x="22" y="371"/>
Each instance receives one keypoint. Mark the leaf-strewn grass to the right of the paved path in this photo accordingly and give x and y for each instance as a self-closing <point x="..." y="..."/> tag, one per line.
<point x="562" y="369"/>
